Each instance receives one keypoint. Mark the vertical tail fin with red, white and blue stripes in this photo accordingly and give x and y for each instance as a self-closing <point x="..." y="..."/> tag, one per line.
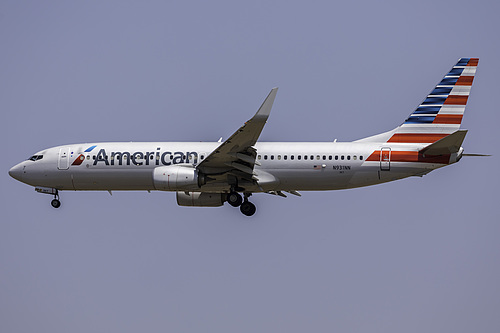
<point x="441" y="112"/>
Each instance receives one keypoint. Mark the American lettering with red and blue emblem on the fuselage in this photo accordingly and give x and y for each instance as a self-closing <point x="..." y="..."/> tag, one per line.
<point x="139" y="158"/>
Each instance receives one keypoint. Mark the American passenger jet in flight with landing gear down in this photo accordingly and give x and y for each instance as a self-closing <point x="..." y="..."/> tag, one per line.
<point x="208" y="174"/>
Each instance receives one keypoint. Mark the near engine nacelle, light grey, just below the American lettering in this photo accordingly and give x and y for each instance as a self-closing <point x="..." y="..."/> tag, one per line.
<point x="177" y="178"/>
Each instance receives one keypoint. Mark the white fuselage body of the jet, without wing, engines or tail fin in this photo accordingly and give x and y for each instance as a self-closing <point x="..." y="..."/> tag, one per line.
<point x="284" y="166"/>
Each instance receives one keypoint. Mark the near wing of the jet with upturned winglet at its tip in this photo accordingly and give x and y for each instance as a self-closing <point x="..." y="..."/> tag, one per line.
<point x="237" y="154"/>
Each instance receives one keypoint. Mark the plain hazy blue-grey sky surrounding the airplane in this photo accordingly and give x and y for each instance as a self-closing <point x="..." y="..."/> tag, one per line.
<point x="417" y="255"/>
